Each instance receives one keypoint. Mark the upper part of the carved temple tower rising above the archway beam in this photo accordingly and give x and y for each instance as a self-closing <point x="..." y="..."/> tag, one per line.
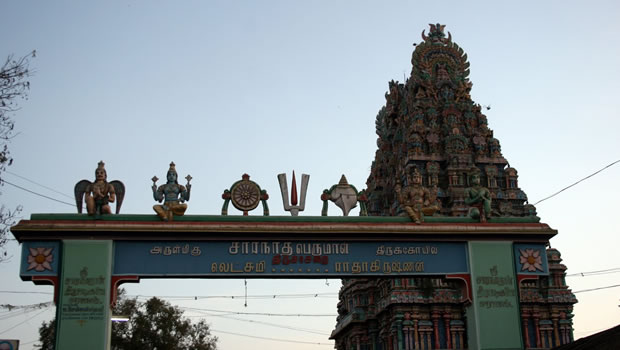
<point x="431" y="123"/>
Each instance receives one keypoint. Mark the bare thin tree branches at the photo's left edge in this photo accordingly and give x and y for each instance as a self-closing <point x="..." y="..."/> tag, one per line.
<point x="13" y="86"/>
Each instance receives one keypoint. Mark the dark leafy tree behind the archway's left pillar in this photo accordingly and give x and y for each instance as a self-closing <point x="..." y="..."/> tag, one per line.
<point x="154" y="324"/>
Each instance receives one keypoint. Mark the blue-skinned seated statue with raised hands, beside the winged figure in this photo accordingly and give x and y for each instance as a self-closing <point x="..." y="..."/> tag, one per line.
<point x="172" y="194"/>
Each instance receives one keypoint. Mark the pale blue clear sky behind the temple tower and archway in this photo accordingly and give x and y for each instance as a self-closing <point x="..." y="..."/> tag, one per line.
<point x="224" y="88"/>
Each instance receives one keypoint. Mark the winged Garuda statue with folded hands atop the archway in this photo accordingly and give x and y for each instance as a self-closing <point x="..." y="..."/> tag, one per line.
<point x="99" y="194"/>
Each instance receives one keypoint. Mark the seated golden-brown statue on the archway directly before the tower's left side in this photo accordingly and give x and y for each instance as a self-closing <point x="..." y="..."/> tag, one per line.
<point x="415" y="198"/>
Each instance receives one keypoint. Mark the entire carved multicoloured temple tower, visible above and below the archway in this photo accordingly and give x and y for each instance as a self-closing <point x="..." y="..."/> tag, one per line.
<point x="431" y="129"/>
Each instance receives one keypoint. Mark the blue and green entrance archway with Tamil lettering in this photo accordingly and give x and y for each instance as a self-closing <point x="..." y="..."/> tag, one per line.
<point x="87" y="259"/>
